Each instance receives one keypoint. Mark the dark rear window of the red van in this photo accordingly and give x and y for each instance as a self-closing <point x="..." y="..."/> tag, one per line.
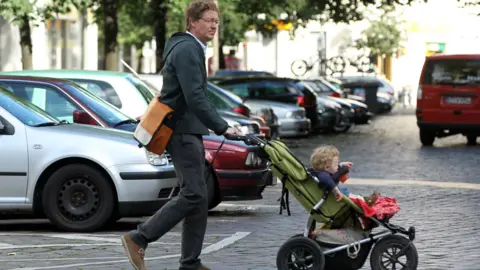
<point x="452" y="71"/>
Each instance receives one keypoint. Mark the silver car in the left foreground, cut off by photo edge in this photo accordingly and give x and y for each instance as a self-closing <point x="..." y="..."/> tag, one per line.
<point x="79" y="176"/>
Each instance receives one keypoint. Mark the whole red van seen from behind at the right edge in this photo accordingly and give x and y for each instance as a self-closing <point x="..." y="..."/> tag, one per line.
<point x="448" y="98"/>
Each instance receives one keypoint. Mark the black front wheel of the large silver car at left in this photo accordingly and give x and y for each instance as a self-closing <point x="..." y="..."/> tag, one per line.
<point x="78" y="197"/>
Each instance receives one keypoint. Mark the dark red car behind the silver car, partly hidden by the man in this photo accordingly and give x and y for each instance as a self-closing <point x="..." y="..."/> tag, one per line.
<point x="238" y="173"/>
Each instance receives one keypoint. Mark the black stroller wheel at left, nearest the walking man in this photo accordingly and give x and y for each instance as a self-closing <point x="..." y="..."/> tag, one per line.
<point x="300" y="253"/>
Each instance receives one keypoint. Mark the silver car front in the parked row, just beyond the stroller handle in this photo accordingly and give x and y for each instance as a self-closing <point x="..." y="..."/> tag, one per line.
<point x="291" y="118"/>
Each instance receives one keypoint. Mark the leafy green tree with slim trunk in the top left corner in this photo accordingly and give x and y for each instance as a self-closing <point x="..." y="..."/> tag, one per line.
<point x="26" y="13"/>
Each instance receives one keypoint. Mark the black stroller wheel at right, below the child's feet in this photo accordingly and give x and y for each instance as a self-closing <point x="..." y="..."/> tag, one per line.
<point x="394" y="252"/>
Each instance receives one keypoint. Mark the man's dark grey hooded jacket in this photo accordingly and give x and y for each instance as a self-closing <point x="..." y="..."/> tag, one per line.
<point x="185" y="85"/>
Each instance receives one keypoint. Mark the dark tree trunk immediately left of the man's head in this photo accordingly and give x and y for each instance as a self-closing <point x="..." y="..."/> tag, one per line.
<point x="159" y="8"/>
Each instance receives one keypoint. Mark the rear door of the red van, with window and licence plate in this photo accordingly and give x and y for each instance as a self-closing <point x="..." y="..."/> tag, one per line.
<point x="451" y="90"/>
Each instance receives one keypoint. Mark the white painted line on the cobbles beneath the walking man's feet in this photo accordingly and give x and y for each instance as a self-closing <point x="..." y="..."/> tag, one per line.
<point x="212" y="248"/>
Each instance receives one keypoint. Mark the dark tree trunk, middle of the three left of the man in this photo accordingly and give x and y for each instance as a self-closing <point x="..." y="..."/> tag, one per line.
<point x="110" y="32"/>
